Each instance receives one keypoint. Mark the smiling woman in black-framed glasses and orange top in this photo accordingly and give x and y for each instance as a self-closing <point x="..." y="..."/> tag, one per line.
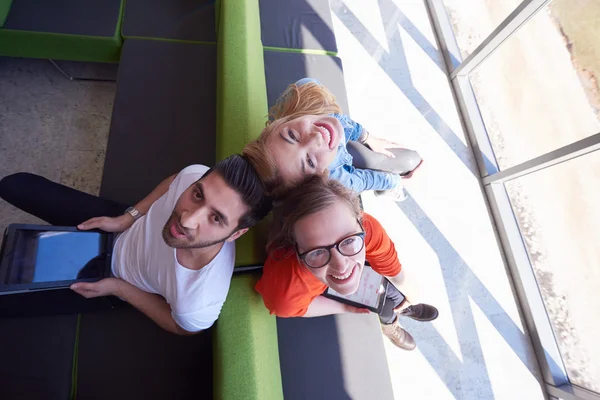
<point x="321" y="239"/>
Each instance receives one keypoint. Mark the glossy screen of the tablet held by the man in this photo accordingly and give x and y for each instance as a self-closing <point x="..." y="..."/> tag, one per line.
<point x="56" y="256"/>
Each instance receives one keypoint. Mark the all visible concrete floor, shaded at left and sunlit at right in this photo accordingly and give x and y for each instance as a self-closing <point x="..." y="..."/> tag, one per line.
<point x="478" y="347"/>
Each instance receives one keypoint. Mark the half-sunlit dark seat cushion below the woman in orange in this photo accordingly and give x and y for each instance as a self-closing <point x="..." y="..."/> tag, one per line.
<point x="333" y="357"/>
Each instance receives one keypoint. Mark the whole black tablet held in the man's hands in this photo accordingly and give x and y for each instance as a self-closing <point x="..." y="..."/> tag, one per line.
<point x="40" y="257"/>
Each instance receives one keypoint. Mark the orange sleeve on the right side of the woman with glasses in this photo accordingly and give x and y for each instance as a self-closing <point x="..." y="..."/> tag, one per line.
<point x="380" y="250"/>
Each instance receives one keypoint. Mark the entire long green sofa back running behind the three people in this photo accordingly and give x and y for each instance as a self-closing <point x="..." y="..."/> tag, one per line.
<point x="246" y="355"/>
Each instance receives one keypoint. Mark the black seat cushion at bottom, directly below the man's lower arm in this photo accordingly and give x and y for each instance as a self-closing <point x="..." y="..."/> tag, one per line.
<point x="125" y="355"/>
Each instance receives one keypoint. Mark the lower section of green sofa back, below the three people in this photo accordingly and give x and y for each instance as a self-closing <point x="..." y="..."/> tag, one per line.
<point x="246" y="356"/>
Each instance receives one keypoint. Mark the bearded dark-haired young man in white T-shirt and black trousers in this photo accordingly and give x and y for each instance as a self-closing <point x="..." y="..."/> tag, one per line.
<point x="175" y="257"/>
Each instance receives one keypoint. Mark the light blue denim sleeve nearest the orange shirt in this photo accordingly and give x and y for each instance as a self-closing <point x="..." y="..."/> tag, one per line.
<point x="360" y="180"/>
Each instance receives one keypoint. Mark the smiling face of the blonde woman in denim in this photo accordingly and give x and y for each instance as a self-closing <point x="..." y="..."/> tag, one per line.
<point x="305" y="146"/>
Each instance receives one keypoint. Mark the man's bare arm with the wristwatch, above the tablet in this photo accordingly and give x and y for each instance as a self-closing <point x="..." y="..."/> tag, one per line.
<point x="124" y="222"/>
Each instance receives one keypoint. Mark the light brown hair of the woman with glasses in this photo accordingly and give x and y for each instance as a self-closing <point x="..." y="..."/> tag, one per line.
<point x="315" y="194"/>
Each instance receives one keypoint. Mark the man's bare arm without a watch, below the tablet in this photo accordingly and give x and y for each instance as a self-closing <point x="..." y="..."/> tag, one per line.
<point x="153" y="305"/>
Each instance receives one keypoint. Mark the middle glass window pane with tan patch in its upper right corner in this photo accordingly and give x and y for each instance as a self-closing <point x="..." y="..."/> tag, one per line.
<point x="540" y="89"/>
